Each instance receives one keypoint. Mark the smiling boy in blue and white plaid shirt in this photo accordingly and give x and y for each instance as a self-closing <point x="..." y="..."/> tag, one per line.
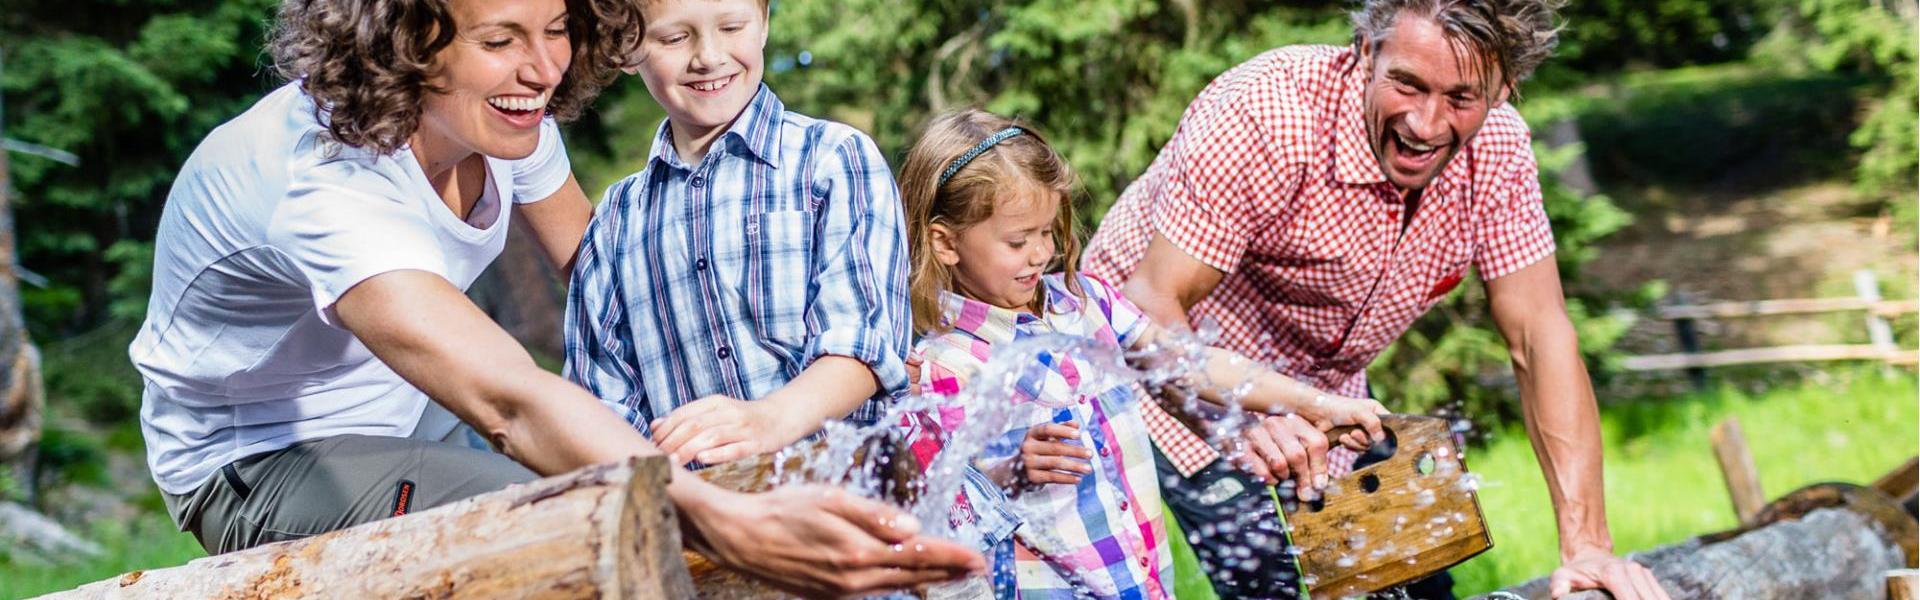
<point x="759" y="257"/>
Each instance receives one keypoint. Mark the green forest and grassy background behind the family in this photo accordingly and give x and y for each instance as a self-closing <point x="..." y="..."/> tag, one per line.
<point x="1691" y="151"/>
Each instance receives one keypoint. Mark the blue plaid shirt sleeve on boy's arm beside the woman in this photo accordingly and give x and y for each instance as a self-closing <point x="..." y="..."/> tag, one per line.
<point x="600" y="349"/>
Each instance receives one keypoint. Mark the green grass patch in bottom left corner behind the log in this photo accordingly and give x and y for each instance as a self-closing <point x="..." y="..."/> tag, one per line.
<point x="145" y="543"/>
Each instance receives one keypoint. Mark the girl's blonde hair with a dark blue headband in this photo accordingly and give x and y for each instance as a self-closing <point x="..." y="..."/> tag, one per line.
<point x="969" y="195"/>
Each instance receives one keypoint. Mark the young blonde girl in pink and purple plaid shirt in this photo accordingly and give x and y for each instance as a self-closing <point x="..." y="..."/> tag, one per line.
<point x="990" y="220"/>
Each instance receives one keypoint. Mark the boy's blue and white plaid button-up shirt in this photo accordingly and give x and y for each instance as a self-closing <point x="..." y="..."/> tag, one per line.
<point x="729" y="278"/>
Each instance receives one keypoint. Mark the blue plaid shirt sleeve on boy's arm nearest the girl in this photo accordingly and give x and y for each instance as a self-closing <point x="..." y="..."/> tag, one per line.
<point x="861" y="309"/>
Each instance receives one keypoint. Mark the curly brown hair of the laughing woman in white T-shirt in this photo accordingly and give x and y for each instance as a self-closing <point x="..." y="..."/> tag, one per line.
<point x="368" y="62"/>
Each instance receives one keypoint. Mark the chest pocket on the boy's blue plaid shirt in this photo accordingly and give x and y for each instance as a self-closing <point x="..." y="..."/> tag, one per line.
<point x="779" y="274"/>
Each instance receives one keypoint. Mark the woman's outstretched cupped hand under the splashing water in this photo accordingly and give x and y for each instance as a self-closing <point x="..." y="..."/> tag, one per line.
<point x="823" y="543"/>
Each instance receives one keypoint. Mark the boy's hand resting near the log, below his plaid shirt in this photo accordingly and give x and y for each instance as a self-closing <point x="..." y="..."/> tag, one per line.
<point x="719" y="430"/>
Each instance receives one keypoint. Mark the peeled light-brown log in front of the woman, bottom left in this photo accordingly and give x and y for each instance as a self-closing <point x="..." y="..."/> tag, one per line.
<point x="604" y="532"/>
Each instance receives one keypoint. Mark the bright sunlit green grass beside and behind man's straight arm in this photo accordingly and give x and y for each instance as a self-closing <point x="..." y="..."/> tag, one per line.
<point x="1664" y="484"/>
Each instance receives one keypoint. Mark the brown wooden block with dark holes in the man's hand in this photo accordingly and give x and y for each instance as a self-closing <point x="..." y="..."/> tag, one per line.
<point x="1393" y="522"/>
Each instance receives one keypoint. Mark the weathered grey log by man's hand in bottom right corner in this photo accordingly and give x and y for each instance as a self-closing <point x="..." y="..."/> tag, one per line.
<point x="1827" y="541"/>
